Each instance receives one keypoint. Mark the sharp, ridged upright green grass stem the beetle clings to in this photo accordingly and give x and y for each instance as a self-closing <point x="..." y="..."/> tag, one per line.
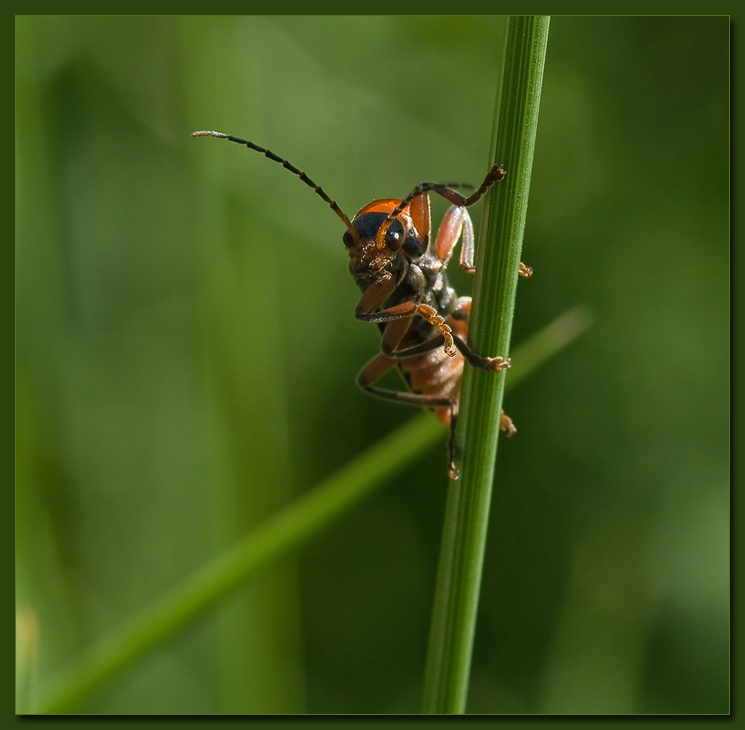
<point x="495" y="288"/>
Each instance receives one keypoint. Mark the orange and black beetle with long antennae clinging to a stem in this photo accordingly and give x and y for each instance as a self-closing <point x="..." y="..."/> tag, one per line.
<point x="405" y="291"/>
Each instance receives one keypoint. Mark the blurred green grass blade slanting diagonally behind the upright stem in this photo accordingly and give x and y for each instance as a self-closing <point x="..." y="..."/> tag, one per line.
<point x="279" y="536"/>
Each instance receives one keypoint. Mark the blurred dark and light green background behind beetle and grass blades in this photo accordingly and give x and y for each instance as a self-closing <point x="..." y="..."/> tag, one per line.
<point x="186" y="354"/>
